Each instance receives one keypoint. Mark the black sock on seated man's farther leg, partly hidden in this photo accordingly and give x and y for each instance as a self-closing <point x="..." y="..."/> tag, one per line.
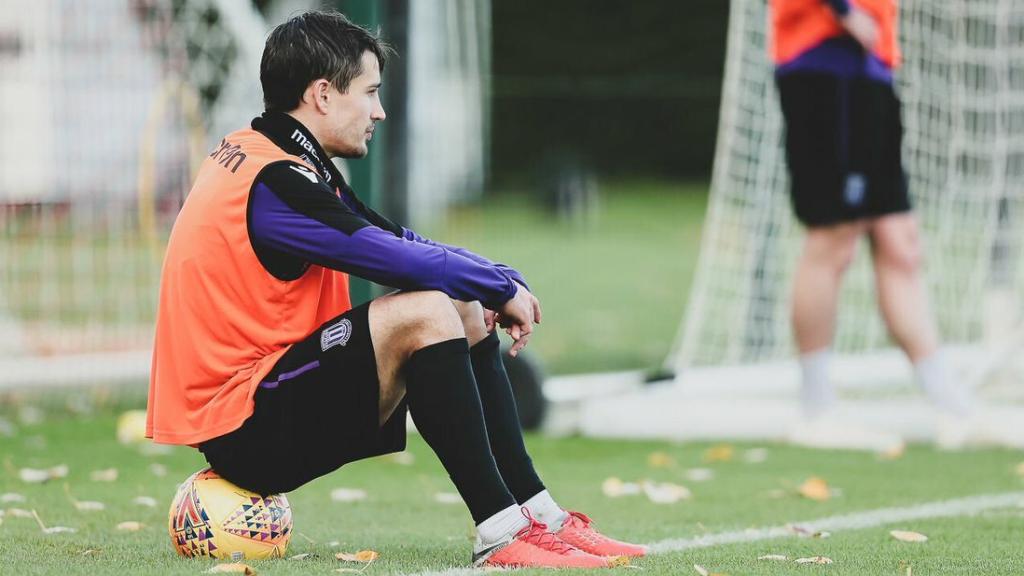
<point x="503" y="421"/>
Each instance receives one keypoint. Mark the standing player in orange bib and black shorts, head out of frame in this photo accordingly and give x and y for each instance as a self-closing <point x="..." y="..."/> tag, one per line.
<point x="835" y="62"/>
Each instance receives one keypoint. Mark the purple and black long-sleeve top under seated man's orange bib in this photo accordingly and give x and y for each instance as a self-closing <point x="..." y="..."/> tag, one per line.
<point x="298" y="217"/>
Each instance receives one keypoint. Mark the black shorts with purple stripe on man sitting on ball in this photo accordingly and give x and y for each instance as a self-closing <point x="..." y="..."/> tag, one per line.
<point x="316" y="412"/>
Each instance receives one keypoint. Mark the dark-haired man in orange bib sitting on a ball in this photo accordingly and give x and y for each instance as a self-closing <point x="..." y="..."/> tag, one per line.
<point x="260" y="352"/>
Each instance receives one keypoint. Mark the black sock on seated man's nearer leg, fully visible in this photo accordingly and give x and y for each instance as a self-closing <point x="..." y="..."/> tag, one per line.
<point x="446" y="408"/>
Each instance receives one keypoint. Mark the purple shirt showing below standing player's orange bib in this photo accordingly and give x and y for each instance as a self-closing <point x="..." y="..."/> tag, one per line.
<point x="842" y="57"/>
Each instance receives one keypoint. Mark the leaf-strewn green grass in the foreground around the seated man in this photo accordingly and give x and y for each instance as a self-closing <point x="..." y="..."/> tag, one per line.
<point x="414" y="533"/>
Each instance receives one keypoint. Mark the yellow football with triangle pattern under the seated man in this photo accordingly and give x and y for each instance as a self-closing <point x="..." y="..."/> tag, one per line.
<point x="212" y="517"/>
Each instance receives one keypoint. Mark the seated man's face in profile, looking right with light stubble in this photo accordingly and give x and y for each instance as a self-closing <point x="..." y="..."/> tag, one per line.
<point x="353" y="115"/>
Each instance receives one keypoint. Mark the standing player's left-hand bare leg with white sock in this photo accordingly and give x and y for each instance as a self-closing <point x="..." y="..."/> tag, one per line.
<point x="827" y="256"/>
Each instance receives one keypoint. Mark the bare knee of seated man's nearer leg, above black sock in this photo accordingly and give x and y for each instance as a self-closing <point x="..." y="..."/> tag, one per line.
<point x="415" y="320"/>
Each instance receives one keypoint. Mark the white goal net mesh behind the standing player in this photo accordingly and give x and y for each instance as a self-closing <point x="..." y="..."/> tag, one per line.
<point x="962" y="84"/>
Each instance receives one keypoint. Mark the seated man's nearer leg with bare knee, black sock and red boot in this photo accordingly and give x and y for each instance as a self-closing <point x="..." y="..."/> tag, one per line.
<point x="422" y="355"/>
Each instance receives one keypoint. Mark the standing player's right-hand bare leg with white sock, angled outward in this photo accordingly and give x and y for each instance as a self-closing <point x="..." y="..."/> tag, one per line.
<point x="905" y="305"/>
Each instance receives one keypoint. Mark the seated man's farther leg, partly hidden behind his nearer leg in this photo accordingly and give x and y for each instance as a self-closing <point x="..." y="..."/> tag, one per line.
<point x="505" y="435"/>
